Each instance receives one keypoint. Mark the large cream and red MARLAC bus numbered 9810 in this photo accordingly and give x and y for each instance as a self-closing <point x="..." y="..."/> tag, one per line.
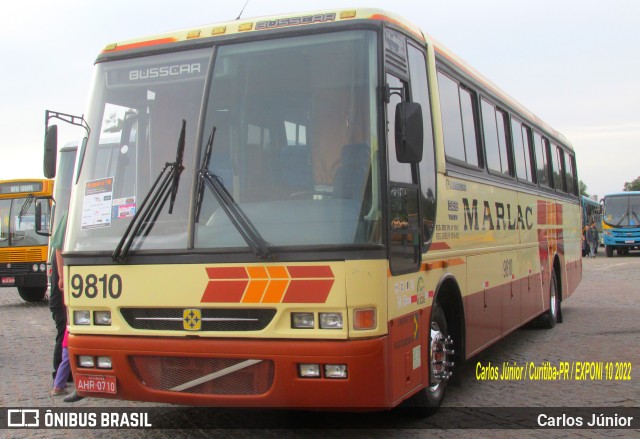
<point x="326" y="210"/>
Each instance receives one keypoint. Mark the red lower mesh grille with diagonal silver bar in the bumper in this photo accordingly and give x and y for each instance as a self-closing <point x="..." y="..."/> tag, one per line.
<point x="211" y="376"/>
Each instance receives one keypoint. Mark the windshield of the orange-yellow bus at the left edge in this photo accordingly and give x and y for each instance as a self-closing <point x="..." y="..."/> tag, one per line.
<point x="17" y="224"/>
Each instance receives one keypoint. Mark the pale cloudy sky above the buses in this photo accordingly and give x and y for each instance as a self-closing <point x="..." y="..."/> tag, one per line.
<point x="574" y="63"/>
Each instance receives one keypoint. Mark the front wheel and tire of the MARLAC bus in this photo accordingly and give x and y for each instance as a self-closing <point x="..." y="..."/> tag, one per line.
<point x="440" y="355"/>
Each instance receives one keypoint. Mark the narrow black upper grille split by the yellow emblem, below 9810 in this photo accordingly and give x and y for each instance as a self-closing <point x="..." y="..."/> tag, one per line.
<point x="213" y="319"/>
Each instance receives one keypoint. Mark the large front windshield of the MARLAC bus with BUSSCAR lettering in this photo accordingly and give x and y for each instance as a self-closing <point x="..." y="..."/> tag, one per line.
<point x="295" y="145"/>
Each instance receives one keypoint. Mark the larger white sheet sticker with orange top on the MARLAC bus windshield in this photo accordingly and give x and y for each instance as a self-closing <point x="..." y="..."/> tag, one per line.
<point x="96" y="207"/>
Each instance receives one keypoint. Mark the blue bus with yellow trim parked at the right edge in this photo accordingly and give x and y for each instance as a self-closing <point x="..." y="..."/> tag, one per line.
<point x="621" y="222"/>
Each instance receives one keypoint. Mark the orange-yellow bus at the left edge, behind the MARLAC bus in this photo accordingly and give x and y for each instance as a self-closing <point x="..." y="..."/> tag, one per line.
<point x="23" y="242"/>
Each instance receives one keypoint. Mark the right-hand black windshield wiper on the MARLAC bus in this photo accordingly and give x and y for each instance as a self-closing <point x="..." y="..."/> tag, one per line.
<point x="236" y="215"/>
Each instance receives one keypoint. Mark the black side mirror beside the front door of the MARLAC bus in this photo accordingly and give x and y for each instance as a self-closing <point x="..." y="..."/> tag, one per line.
<point x="409" y="132"/>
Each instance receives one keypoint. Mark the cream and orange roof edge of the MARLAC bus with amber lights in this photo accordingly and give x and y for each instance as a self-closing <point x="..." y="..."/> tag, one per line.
<point x="315" y="18"/>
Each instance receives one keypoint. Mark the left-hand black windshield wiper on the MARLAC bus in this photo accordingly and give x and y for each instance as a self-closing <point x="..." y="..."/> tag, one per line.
<point x="165" y="186"/>
